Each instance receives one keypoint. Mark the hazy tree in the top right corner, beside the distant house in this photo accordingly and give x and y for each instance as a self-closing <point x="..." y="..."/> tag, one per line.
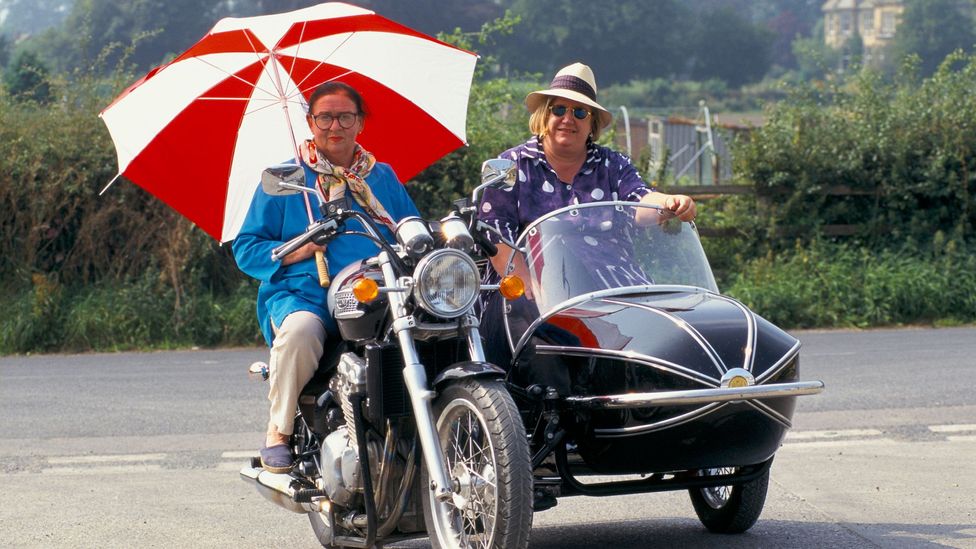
<point x="931" y="29"/>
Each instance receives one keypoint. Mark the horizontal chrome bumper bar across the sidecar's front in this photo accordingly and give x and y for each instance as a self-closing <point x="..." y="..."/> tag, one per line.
<point x="695" y="396"/>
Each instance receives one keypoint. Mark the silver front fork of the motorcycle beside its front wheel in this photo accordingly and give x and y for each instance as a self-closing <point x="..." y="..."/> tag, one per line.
<point x="418" y="387"/>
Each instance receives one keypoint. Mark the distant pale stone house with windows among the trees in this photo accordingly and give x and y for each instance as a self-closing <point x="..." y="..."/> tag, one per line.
<point x="875" y="21"/>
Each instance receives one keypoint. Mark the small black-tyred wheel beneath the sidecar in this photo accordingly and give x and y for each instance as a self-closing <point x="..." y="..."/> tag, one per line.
<point x="730" y="509"/>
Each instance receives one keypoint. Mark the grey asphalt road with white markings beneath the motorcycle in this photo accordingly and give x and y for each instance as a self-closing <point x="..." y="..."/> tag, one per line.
<point x="143" y="449"/>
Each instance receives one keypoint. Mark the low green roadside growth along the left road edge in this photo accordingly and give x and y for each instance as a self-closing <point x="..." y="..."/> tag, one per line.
<point x="133" y="314"/>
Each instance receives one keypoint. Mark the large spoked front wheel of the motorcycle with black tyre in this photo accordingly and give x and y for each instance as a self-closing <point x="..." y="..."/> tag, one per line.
<point x="487" y="455"/>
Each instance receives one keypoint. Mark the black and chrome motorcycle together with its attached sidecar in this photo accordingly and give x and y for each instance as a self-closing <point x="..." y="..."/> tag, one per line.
<point x="407" y="430"/>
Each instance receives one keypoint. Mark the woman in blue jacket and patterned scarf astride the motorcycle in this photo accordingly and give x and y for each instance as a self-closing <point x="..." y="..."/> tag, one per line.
<point x="291" y="301"/>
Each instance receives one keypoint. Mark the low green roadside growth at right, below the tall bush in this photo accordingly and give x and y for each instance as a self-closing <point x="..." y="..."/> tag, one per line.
<point x="827" y="284"/>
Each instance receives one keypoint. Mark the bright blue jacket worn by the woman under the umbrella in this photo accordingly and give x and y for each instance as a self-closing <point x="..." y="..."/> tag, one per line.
<point x="273" y="220"/>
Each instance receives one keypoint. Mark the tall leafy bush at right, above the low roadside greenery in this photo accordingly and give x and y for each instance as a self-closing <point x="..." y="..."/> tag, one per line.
<point x="907" y="148"/>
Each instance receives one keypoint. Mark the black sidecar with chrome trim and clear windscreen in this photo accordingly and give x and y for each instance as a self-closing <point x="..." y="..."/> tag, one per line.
<point x="664" y="377"/>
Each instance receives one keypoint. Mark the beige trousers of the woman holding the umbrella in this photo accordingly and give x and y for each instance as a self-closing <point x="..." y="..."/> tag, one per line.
<point x="295" y="354"/>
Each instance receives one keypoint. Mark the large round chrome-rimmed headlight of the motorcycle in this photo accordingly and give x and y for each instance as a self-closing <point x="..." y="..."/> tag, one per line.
<point x="446" y="283"/>
